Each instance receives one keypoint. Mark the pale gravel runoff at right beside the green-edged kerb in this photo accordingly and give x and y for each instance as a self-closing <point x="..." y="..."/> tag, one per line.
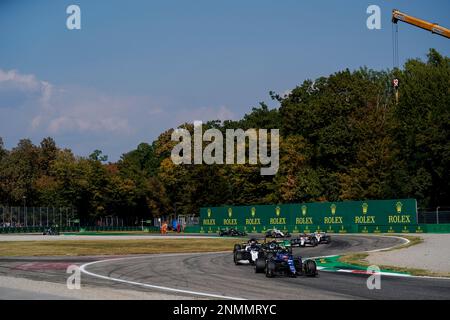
<point x="432" y="254"/>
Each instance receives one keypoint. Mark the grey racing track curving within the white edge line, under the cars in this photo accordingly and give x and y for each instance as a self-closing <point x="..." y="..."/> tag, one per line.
<point x="217" y="275"/>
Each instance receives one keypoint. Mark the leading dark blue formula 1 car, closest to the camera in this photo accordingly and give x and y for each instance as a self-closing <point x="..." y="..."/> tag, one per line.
<point x="281" y="261"/>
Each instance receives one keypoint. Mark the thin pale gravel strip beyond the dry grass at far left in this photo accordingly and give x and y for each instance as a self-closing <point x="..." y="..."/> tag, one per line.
<point x="38" y="237"/>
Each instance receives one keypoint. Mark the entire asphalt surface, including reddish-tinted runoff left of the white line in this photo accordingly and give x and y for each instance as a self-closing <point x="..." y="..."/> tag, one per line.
<point x="216" y="275"/>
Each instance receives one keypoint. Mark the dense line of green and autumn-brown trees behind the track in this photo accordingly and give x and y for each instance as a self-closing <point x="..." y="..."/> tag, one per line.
<point x="343" y="137"/>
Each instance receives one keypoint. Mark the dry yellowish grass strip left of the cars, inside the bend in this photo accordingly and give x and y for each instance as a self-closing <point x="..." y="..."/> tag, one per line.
<point x="113" y="247"/>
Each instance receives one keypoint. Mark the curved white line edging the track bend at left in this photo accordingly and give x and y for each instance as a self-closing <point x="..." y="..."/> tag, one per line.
<point x="197" y="293"/>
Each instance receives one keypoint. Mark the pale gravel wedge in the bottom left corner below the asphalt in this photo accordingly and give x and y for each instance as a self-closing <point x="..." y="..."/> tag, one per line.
<point x="12" y="288"/>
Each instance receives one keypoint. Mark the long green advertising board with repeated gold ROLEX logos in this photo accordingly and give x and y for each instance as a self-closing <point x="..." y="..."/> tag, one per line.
<point x="334" y="217"/>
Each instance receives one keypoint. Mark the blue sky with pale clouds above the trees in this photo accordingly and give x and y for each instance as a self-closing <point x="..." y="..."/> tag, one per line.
<point x="139" y="67"/>
